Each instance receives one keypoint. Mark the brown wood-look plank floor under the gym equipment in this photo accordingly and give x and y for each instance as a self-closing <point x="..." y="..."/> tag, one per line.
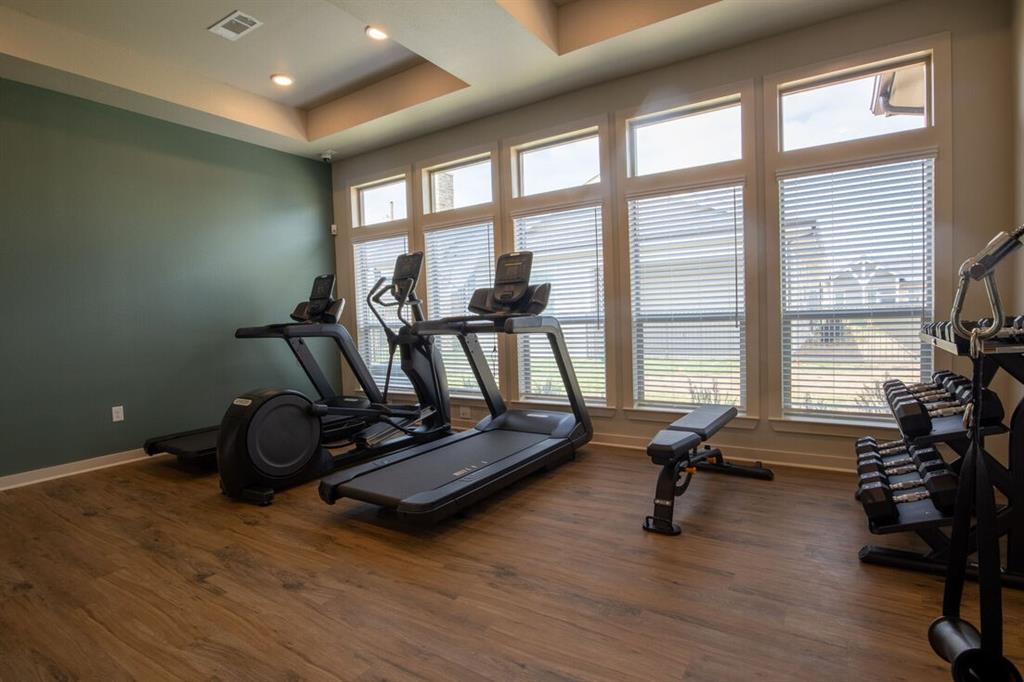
<point x="146" y="572"/>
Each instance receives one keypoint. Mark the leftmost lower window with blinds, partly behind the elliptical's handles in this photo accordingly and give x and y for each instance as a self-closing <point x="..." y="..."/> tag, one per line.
<point x="373" y="261"/>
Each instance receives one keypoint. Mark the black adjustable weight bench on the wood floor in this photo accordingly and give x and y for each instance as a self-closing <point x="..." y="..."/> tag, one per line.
<point x="679" y="449"/>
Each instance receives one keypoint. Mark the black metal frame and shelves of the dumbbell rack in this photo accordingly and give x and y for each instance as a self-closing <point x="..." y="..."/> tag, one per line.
<point x="926" y="521"/>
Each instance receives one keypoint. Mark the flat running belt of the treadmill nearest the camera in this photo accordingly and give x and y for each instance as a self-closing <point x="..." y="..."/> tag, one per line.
<point x="434" y="470"/>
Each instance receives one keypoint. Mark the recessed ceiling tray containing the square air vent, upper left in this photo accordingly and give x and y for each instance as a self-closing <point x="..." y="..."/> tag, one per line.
<point x="316" y="41"/>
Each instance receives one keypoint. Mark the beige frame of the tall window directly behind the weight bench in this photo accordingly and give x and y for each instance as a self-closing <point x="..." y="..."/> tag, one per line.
<point x="741" y="172"/>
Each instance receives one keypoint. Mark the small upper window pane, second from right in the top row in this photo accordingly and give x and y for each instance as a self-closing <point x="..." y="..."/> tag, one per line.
<point x="685" y="140"/>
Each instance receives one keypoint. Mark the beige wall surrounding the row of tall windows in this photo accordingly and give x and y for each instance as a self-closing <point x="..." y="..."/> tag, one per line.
<point x="983" y="159"/>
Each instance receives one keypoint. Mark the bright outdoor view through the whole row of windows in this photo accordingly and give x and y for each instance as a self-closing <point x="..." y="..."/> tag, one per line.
<point x="857" y="248"/>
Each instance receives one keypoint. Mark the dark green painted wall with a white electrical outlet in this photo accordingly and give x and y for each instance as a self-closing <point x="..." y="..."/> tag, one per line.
<point x="131" y="250"/>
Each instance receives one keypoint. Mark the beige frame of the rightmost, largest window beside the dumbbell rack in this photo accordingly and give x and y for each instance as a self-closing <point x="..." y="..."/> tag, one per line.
<point x="933" y="141"/>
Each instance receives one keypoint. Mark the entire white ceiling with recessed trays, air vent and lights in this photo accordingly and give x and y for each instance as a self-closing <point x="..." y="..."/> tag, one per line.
<point x="459" y="60"/>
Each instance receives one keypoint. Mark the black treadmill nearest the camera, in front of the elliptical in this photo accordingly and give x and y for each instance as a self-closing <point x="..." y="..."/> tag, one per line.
<point x="431" y="482"/>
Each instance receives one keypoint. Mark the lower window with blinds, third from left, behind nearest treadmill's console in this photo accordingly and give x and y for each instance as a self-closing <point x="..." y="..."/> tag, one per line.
<point x="568" y="253"/>
